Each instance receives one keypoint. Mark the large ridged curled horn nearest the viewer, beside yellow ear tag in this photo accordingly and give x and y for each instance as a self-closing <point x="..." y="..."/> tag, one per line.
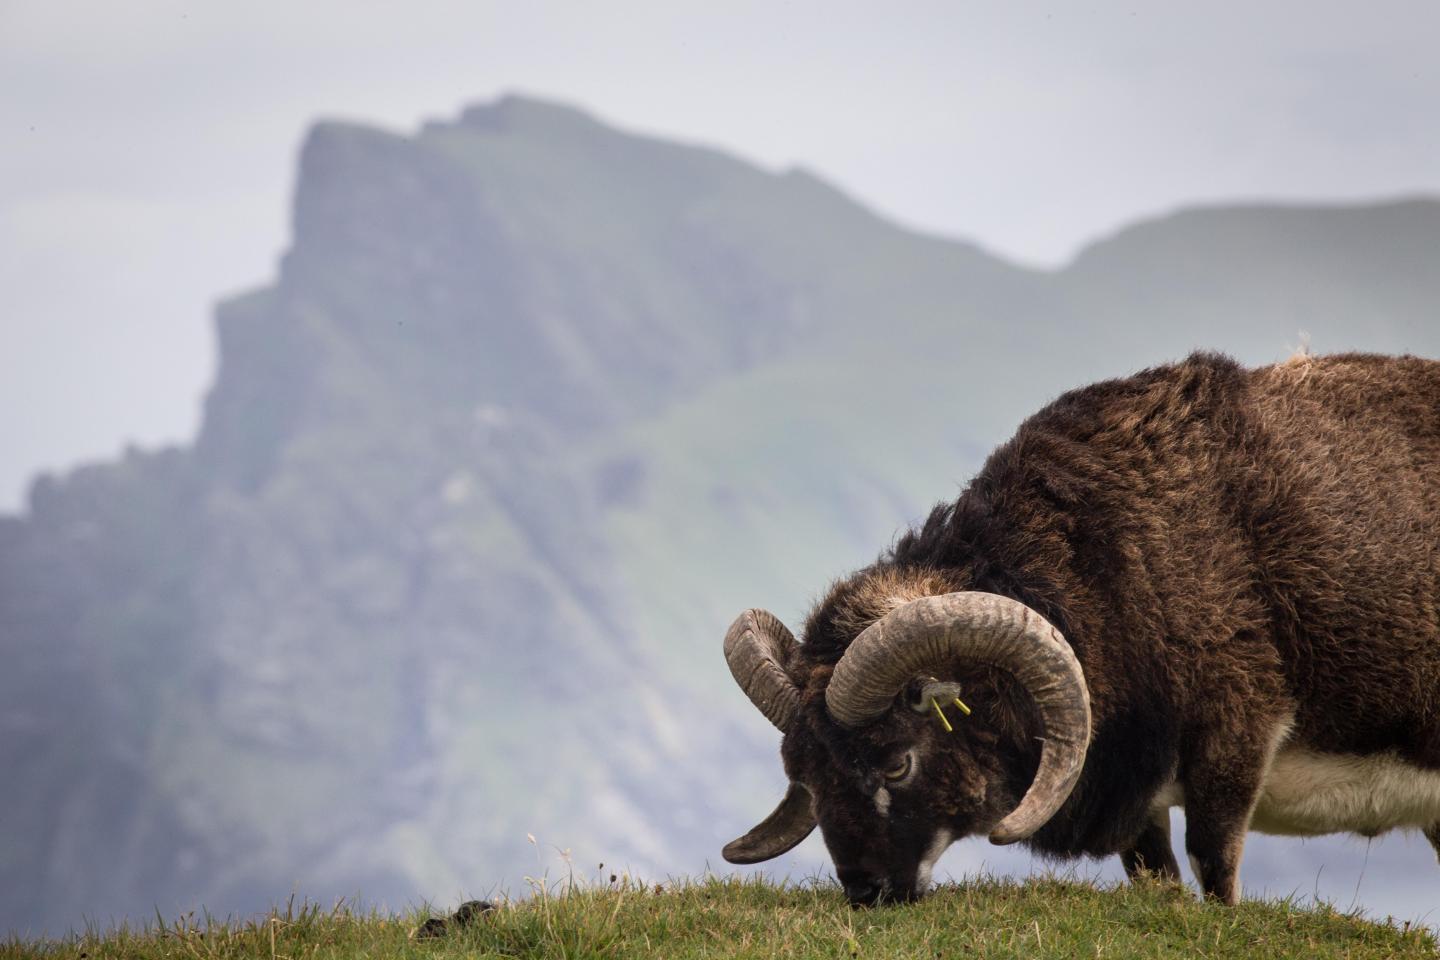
<point x="927" y="634"/>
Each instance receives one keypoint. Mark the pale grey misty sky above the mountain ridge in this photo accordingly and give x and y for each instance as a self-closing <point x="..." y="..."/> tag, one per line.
<point x="148" y="149"/>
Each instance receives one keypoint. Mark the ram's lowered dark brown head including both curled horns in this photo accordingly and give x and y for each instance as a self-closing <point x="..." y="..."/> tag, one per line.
<point x="881" y="755"/>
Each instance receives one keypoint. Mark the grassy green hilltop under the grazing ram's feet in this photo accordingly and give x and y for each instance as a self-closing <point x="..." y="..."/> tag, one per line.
<point x="754" y="919"/>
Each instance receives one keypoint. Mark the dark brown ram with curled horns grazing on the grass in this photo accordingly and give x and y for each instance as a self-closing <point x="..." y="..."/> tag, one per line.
<point x="1200" y="587"/>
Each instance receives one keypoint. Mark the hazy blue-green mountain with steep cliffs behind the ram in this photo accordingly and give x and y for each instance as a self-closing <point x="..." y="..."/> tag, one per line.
<point x="531" y="412"/>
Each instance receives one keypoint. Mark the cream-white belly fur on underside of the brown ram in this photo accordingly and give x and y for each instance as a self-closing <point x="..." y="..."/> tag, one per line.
<point x="1310" y="794"/>
